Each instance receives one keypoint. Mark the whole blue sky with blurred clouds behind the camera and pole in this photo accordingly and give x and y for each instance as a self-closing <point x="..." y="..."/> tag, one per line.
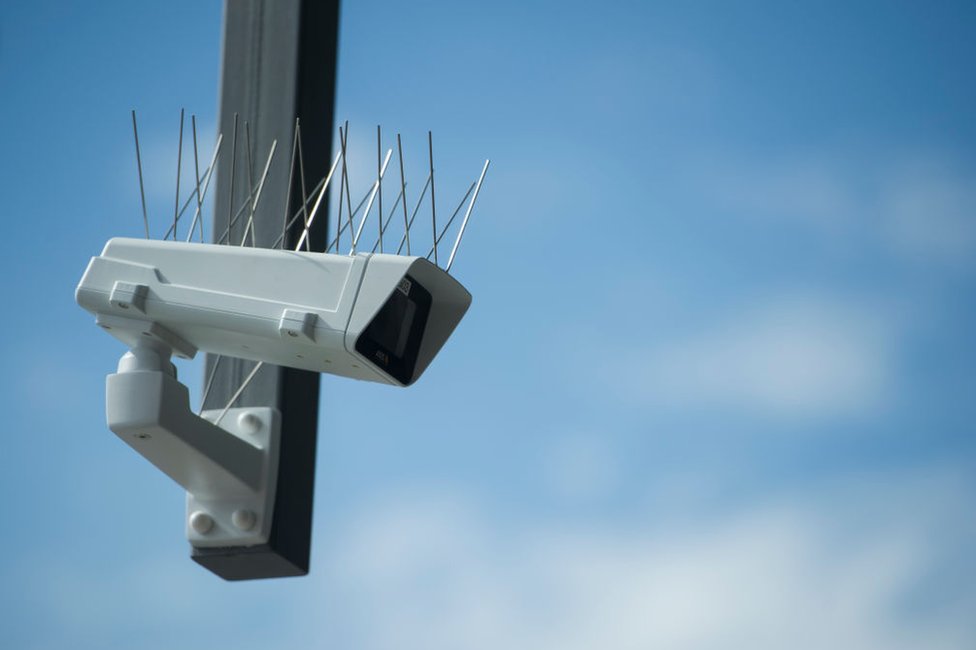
<point x="715" y="389"/>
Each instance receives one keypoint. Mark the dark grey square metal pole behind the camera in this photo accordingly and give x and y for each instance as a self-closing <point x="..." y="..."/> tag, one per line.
<point x="279" y="63"/>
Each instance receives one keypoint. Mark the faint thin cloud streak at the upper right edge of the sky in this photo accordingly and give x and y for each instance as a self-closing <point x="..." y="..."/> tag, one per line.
<point x="920" y="209"/>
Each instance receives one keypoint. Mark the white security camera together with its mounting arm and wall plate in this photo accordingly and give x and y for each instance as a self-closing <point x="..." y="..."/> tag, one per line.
<point x="374" y="317"/>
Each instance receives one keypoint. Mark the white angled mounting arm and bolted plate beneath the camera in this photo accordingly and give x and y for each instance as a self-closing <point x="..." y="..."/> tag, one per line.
<point x="229" y="471"/>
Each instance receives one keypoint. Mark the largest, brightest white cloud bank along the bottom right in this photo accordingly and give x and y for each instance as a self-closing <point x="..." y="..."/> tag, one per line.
<point x="807" y="573"/>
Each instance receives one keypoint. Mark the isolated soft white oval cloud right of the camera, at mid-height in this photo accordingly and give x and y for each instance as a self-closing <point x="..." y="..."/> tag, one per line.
<point x="794" y="357"/>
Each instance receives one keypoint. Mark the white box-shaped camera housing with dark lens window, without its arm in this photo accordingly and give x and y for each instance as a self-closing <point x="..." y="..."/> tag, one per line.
<point x="373" y="317"/>
